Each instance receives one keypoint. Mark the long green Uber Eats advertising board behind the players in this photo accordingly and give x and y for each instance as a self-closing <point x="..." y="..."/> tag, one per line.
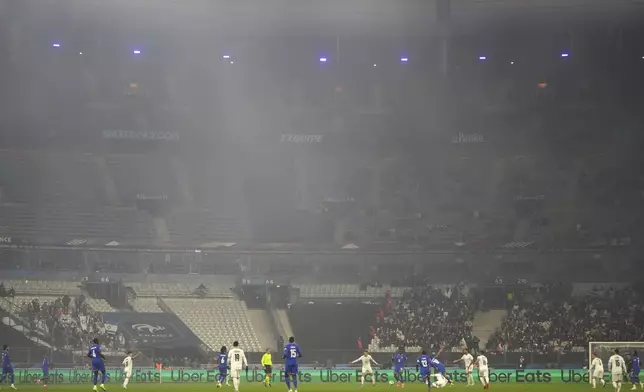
<point x="150" y="375"/>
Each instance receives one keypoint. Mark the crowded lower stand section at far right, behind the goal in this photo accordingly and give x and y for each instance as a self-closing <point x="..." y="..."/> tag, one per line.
<point x="533" y="324"/>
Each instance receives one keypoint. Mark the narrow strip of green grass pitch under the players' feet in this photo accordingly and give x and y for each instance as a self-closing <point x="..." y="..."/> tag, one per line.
<point x="174" y="387"/>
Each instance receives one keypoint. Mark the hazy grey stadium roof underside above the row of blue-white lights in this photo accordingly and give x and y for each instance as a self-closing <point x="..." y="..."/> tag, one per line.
<point x="384" y="17"/>
